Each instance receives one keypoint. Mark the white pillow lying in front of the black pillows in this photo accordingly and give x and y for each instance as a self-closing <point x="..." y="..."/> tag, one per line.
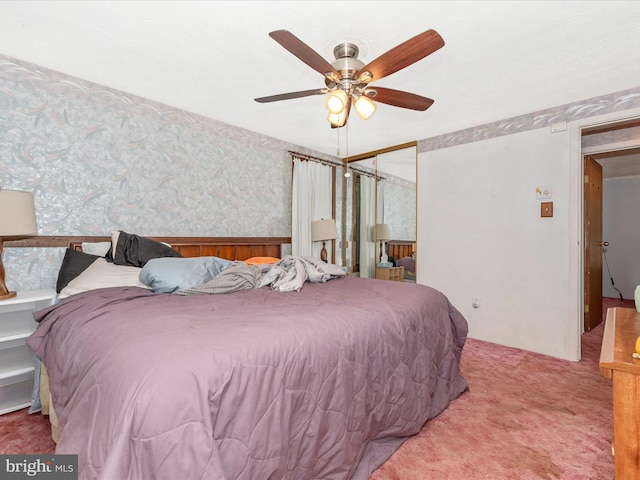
<point x="102" y="274"/>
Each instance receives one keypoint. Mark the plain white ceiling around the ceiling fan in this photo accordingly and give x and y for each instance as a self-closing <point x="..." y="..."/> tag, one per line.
<point x="501" y="58"/>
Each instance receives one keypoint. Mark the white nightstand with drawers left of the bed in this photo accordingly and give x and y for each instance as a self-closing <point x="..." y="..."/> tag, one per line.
<point x="17" y="361"/>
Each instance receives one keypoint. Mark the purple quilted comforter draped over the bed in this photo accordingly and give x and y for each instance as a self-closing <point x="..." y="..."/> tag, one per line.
<point x="321" y="383"/>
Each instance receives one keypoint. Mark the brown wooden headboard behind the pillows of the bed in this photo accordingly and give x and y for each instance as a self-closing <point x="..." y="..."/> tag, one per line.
<point x="229" y="248"/>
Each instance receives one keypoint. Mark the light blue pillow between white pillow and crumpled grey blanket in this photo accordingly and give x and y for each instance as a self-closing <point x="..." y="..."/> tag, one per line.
<point x="168" y="274"/>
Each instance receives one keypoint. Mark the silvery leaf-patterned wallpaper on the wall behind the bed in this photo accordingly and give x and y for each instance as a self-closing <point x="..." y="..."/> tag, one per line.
<point x="98" y="160"/>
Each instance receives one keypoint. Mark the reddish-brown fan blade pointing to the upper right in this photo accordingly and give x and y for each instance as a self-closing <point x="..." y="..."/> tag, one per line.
<point x="402" y="56"/>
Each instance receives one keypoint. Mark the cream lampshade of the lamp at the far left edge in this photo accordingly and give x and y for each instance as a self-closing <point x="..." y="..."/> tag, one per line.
<point x="17" y="214"/>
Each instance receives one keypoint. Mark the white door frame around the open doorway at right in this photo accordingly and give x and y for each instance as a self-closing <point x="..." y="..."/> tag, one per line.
<point x="576" y="224"/>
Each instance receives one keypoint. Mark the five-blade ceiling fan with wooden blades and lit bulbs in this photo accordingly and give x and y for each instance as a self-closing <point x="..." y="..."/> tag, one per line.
<point x="347" y="78"/>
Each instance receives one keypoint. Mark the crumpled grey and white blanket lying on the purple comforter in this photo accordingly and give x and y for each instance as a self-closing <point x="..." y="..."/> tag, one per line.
<point x="287" y="275"/>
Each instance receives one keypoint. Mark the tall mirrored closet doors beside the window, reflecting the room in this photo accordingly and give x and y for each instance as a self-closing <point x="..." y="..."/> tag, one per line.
<point x="385" y="194"/>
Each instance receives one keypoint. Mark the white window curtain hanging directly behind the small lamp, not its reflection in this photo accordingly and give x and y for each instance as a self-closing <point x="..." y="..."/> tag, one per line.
<point x="312" y="199"/>
